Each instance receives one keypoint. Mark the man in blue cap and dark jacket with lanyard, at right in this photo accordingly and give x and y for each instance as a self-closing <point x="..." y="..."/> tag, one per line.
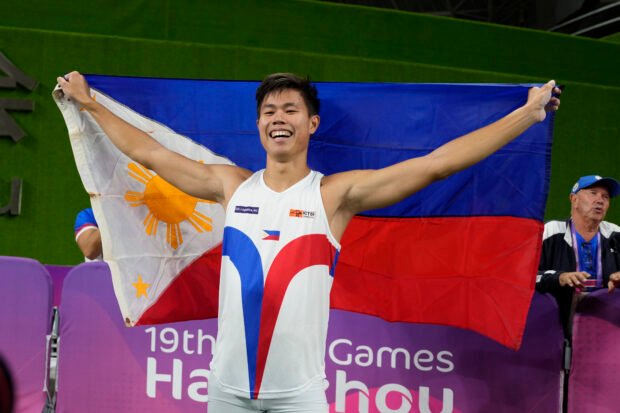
<point x="583" y="253"/>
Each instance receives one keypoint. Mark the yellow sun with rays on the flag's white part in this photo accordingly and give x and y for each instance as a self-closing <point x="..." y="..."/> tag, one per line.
<point x="165" y="203"/>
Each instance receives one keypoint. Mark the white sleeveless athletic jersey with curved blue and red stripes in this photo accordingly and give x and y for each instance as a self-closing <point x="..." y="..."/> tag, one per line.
<point x="277" y="266"/>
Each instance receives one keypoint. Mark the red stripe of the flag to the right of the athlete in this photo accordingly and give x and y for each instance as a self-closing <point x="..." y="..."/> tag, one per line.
<point x="475" y="272"/>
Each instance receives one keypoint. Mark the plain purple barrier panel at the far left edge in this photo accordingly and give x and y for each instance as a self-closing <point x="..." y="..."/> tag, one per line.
<point x="25" y="308"/>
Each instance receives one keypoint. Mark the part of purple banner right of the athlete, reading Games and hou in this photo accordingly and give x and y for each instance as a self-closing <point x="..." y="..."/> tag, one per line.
<point x="400" y="367"/>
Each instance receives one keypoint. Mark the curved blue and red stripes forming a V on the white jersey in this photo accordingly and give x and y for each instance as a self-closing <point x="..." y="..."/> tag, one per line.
<point x="261" y="300"/>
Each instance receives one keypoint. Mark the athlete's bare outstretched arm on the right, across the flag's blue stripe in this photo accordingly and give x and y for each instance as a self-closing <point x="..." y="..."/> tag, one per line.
<point x="356" y="191"/>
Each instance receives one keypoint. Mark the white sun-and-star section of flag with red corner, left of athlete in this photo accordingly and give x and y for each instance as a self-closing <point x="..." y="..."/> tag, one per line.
<point x="162" y="245"/>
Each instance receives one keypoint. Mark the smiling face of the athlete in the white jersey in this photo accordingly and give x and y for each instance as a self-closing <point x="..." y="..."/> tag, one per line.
<point x="285" y="125"/>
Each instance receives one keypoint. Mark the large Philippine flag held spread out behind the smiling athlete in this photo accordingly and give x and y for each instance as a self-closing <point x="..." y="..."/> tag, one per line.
<point x="462" y="252"/>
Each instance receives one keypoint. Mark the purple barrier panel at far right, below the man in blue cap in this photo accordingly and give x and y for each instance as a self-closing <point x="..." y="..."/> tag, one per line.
<point x="595" y="375"/>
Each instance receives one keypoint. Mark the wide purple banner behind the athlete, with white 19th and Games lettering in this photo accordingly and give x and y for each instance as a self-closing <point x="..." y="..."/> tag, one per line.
<point x="371" y="365"/>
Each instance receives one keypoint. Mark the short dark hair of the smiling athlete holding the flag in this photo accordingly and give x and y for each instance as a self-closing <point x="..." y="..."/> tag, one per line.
<point x="278" y="82"/>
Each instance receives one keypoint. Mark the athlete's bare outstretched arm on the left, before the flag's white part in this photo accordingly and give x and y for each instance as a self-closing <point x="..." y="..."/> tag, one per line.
<point x="212" y="182"/>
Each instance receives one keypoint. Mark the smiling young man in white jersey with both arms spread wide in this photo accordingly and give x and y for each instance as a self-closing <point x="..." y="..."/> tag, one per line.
<point x="282" y="232"/>
